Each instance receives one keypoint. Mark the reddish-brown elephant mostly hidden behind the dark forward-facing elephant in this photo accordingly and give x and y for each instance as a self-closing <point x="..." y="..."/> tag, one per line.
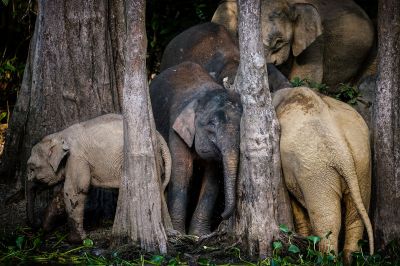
<point x="211" y="46"/>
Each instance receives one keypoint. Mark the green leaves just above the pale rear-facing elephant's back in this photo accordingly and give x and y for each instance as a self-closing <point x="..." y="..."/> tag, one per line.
<point x="348" y="94"/>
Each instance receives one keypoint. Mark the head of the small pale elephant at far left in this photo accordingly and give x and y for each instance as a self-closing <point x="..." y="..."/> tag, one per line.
<point x="45" y="160"/>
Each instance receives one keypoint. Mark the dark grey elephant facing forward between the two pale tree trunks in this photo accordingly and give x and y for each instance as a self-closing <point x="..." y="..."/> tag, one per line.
<point x="201" y="121"/>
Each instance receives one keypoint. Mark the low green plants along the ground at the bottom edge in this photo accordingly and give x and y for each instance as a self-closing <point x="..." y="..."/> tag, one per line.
<point x="25" y="246"/>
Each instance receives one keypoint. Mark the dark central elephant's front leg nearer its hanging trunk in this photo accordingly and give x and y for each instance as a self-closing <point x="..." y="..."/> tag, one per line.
<point x="201" y="220"/>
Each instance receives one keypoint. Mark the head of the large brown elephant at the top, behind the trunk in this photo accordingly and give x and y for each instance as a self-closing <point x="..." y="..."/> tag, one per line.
<point x="288" y="26"/>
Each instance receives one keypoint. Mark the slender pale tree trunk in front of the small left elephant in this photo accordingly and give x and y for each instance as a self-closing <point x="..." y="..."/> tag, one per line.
<point x="138" y="214"/>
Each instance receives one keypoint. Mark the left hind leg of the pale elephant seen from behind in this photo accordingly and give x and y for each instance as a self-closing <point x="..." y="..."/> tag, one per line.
<point x="324" y="209"/>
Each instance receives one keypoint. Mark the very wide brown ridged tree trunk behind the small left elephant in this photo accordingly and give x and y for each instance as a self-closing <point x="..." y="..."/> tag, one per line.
<point x="70" y="76"/>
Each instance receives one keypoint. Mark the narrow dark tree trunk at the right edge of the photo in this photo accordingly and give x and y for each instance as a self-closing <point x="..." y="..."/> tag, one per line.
<point x="387" y="125"/>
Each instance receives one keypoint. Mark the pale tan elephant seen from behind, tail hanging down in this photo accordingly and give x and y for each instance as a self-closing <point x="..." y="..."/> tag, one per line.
<point x="325" y="153"/>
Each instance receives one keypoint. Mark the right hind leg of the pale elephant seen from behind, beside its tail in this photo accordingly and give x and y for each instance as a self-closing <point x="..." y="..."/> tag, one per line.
<point x="354" y="228"/>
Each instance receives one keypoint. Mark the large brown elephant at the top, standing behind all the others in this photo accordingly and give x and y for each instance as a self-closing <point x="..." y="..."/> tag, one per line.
<point x="322" y="40"/>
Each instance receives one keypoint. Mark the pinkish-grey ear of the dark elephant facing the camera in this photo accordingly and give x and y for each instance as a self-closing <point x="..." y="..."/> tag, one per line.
<point x="184" y="123"/>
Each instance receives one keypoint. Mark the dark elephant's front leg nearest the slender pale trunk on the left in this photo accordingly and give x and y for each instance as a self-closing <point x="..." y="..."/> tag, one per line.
<point x="181" y="172"/>
